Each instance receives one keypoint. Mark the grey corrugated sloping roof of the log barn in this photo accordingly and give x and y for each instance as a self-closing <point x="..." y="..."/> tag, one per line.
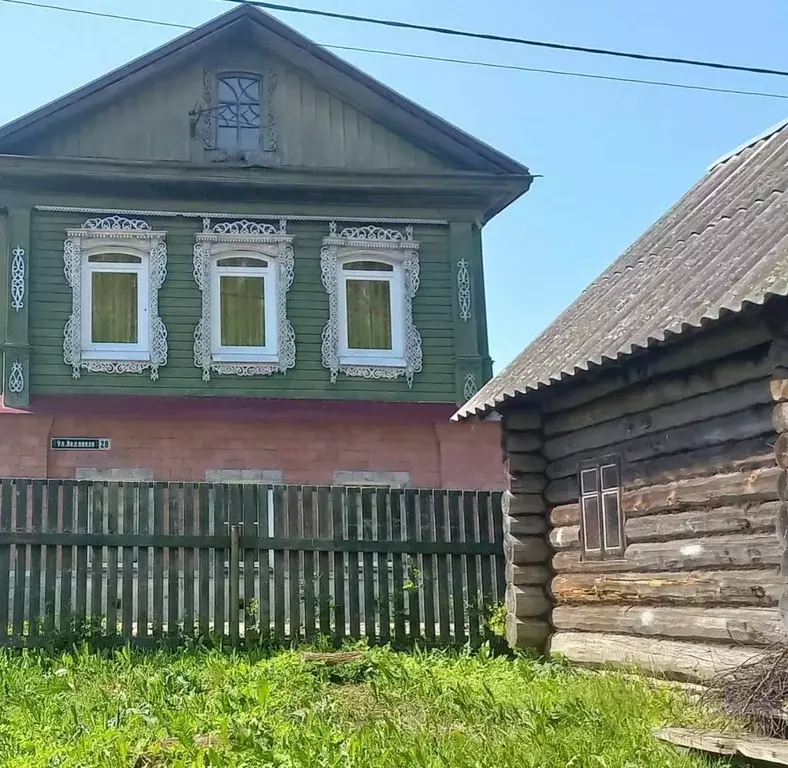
<point x="722" y="247"/>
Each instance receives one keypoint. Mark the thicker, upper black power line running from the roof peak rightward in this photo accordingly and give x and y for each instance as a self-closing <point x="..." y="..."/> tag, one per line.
<point x="517" y="40"/>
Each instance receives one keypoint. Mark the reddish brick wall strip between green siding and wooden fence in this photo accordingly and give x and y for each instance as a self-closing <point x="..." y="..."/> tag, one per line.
<point x="444" y="454"/>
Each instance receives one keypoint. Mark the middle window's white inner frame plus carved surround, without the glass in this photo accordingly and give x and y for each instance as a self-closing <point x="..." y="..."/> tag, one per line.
<point x="244" y="239"/>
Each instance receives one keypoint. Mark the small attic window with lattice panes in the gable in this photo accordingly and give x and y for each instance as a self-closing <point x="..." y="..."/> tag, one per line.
<point x="238" y="113"/>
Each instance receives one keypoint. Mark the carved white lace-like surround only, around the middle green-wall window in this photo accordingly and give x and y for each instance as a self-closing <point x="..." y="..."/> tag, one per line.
<point x="258" y="240"/>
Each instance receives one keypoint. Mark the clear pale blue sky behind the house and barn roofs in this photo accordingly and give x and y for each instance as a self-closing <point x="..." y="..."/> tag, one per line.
<point x="613" y="157"/>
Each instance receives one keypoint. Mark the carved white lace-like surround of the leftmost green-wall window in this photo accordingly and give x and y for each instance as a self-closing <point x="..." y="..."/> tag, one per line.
<point x="114" y="234"/>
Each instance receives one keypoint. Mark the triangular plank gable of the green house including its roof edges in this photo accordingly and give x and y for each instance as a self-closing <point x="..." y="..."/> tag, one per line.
<point x="323" y="113"/>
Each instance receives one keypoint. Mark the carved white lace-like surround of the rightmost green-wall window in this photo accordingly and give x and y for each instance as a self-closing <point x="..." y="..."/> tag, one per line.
<point x="370" y="243"/>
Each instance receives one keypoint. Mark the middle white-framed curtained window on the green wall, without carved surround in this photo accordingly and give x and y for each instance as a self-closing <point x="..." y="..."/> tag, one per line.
<point x="244" y="308"/>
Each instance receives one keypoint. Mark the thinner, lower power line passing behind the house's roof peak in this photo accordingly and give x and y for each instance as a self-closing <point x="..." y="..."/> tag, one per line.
<point x="425" y="57"/>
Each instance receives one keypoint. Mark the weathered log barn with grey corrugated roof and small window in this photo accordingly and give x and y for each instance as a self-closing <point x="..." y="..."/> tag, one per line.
<point x="646" y="437"/>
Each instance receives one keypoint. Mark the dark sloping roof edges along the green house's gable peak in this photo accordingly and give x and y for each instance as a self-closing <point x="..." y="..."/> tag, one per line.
<point x="402" y="115"/>
